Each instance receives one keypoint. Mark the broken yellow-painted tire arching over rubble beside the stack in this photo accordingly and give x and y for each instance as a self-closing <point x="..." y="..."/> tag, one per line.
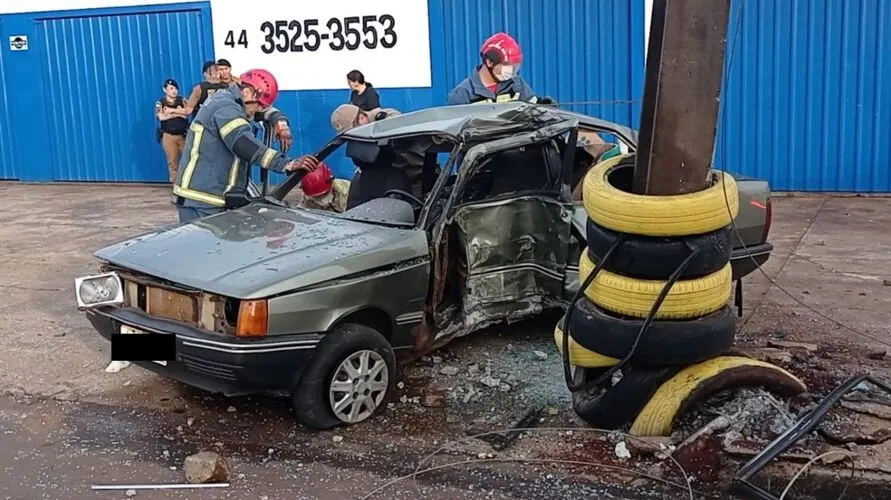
<point x="700" y="381"/>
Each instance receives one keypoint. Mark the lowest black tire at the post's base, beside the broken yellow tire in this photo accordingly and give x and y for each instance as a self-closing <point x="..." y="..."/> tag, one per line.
<point x="617" y="406"/>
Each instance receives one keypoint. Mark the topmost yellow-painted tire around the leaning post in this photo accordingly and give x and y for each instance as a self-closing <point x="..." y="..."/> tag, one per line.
<point x="676" y="215"/>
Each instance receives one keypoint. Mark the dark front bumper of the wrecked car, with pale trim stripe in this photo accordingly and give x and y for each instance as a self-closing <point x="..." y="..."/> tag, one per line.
<point x="214" y="362"/>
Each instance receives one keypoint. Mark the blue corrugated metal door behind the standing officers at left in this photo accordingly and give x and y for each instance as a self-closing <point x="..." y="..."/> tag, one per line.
<point x="101" y="76"/>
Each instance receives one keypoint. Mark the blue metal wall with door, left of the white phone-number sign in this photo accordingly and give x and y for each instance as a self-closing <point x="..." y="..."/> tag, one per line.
<point x="93" y="76"/>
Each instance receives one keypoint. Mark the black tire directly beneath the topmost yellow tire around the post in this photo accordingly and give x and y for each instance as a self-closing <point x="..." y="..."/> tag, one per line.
<point x="647" y="257"/>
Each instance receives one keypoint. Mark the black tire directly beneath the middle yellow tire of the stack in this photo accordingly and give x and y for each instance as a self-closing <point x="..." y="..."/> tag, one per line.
<point x="664" y="342"/>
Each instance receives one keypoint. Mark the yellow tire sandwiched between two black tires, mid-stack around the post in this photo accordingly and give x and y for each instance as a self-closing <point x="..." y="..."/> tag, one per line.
<point x="635" y="297"/>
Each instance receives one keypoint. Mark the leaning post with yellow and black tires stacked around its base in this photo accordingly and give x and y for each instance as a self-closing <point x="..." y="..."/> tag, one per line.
<point x="656" y="276"/>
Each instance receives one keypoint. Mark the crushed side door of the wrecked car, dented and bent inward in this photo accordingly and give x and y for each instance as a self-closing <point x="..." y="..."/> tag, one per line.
<point x="509" y="219"/>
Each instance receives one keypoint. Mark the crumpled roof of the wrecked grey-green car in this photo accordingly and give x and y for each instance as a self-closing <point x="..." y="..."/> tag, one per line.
<point x="470" y="120"/>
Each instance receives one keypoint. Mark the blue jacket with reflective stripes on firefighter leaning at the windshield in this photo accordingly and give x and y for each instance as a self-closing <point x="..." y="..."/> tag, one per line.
<point x="220" y="149"/>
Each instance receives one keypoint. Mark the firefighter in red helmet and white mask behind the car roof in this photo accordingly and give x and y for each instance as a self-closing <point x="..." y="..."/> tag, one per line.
<point x="496" y="79"/>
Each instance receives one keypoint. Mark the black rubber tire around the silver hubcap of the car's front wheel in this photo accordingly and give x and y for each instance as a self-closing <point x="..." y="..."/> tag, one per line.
<point x="310" y="396"/>
